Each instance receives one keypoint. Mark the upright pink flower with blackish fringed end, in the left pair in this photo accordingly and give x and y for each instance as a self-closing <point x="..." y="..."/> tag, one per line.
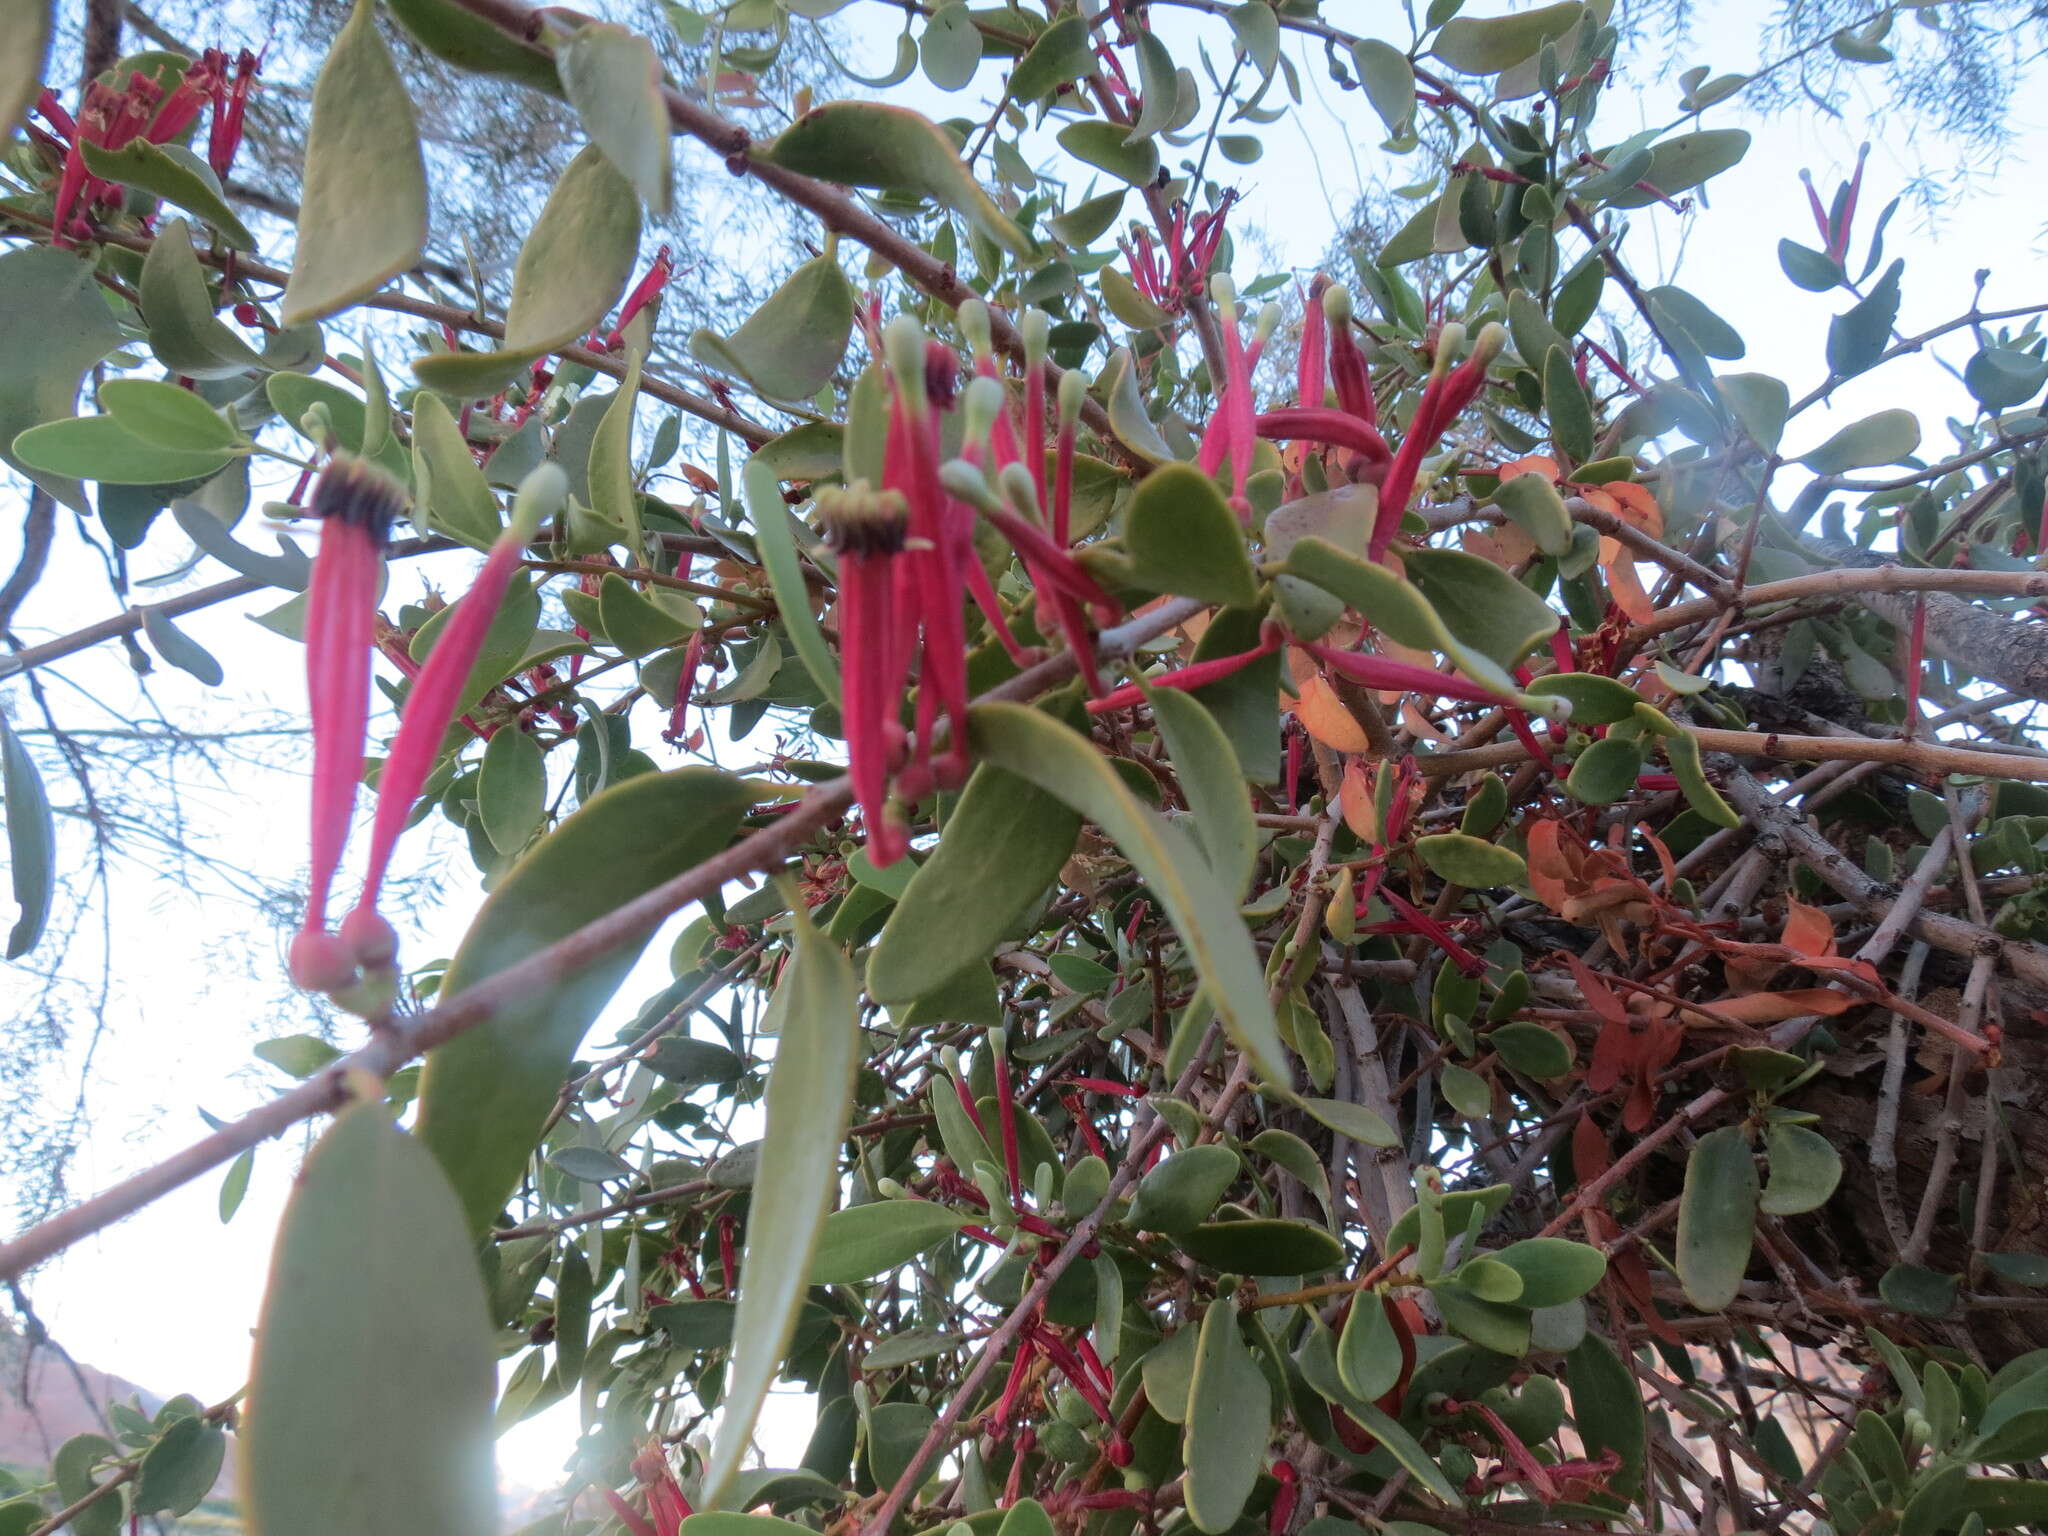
<point x="357" y="505"/>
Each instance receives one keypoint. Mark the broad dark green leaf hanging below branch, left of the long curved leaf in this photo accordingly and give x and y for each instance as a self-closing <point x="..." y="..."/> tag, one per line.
<point x="1000" y="849"/>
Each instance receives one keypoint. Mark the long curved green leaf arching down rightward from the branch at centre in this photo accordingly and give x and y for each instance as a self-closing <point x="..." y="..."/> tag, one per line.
<point x="1060" y="761"/>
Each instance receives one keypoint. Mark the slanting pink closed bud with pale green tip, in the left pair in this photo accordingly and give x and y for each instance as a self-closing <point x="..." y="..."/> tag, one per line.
<point x="431" y="710"/>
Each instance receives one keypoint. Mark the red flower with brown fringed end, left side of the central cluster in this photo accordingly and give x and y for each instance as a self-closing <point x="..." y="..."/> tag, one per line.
<point x="867" y="534"/>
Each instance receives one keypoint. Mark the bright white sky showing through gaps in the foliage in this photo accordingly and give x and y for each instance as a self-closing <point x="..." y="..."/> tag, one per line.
<point x="169" y="1297"/>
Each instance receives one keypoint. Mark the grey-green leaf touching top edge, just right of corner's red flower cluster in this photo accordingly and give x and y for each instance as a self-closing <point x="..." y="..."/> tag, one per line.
<point x="364" y="212"/>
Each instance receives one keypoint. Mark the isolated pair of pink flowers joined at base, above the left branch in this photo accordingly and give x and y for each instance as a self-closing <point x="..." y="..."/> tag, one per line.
<point x="357" y="507"/>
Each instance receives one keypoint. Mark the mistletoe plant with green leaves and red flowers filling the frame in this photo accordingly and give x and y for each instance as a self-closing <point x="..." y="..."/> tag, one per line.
<point x="1355" y="921"/>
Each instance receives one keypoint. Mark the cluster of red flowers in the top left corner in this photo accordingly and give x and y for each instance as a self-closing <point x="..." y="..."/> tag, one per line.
<point x="112" y="118"/>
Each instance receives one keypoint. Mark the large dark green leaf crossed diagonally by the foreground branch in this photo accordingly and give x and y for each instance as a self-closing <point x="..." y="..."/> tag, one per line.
<point x="486" y="1095"/>
